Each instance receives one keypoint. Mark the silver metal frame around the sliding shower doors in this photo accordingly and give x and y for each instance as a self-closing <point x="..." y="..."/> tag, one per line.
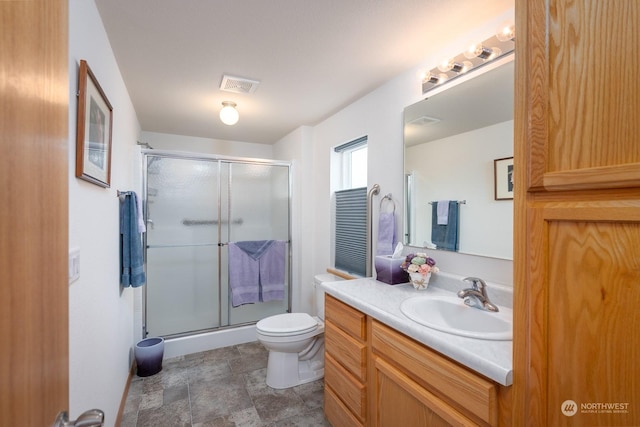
<point x="219" y="159"/>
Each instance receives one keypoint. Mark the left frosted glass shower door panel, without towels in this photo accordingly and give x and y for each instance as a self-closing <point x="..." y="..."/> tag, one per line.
<point x="182" y="245"/>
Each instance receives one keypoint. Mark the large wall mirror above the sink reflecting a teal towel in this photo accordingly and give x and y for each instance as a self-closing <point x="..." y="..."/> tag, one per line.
<point x="451" y="143"/>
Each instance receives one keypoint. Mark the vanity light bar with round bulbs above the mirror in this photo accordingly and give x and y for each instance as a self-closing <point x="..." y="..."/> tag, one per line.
<point x="477" y="56"/>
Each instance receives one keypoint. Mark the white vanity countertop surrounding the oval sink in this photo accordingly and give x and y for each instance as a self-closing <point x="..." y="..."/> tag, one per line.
<point x="493" y="359"/>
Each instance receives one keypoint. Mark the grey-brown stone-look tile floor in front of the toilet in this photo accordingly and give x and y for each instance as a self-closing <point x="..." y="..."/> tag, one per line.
<point x="222" y="387"/>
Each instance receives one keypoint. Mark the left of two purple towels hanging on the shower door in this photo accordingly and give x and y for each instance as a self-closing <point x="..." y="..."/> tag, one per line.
<point x="244" y="277"/>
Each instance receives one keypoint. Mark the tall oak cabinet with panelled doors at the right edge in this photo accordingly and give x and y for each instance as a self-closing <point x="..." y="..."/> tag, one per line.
<point x="577" y="213"/>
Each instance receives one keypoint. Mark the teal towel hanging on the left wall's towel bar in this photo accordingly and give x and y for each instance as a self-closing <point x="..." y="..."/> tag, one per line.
<point x="131" y="258"/>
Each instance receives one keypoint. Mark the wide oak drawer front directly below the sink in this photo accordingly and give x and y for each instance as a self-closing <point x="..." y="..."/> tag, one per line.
<point x="458" y="386"/>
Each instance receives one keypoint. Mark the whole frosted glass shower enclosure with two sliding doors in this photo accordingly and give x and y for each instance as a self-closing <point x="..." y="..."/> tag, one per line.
<point x="195" y="205"/>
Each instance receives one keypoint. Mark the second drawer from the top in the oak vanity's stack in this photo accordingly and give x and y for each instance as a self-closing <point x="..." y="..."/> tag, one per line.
<point x="349" y="352"/>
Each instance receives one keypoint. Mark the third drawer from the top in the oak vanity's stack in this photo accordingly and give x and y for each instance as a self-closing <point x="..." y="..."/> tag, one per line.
<point x="351" y="391"/>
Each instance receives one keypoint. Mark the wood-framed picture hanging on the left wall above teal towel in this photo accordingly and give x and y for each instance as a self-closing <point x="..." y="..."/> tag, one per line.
<point x="93" y="139"/>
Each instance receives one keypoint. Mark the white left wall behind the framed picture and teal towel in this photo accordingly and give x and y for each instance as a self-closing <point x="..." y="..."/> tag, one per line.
<point x="100" y="312"/>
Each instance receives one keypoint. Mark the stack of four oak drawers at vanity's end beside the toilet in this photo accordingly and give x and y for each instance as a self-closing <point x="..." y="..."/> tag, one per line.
<point x="345" y="372"/>
